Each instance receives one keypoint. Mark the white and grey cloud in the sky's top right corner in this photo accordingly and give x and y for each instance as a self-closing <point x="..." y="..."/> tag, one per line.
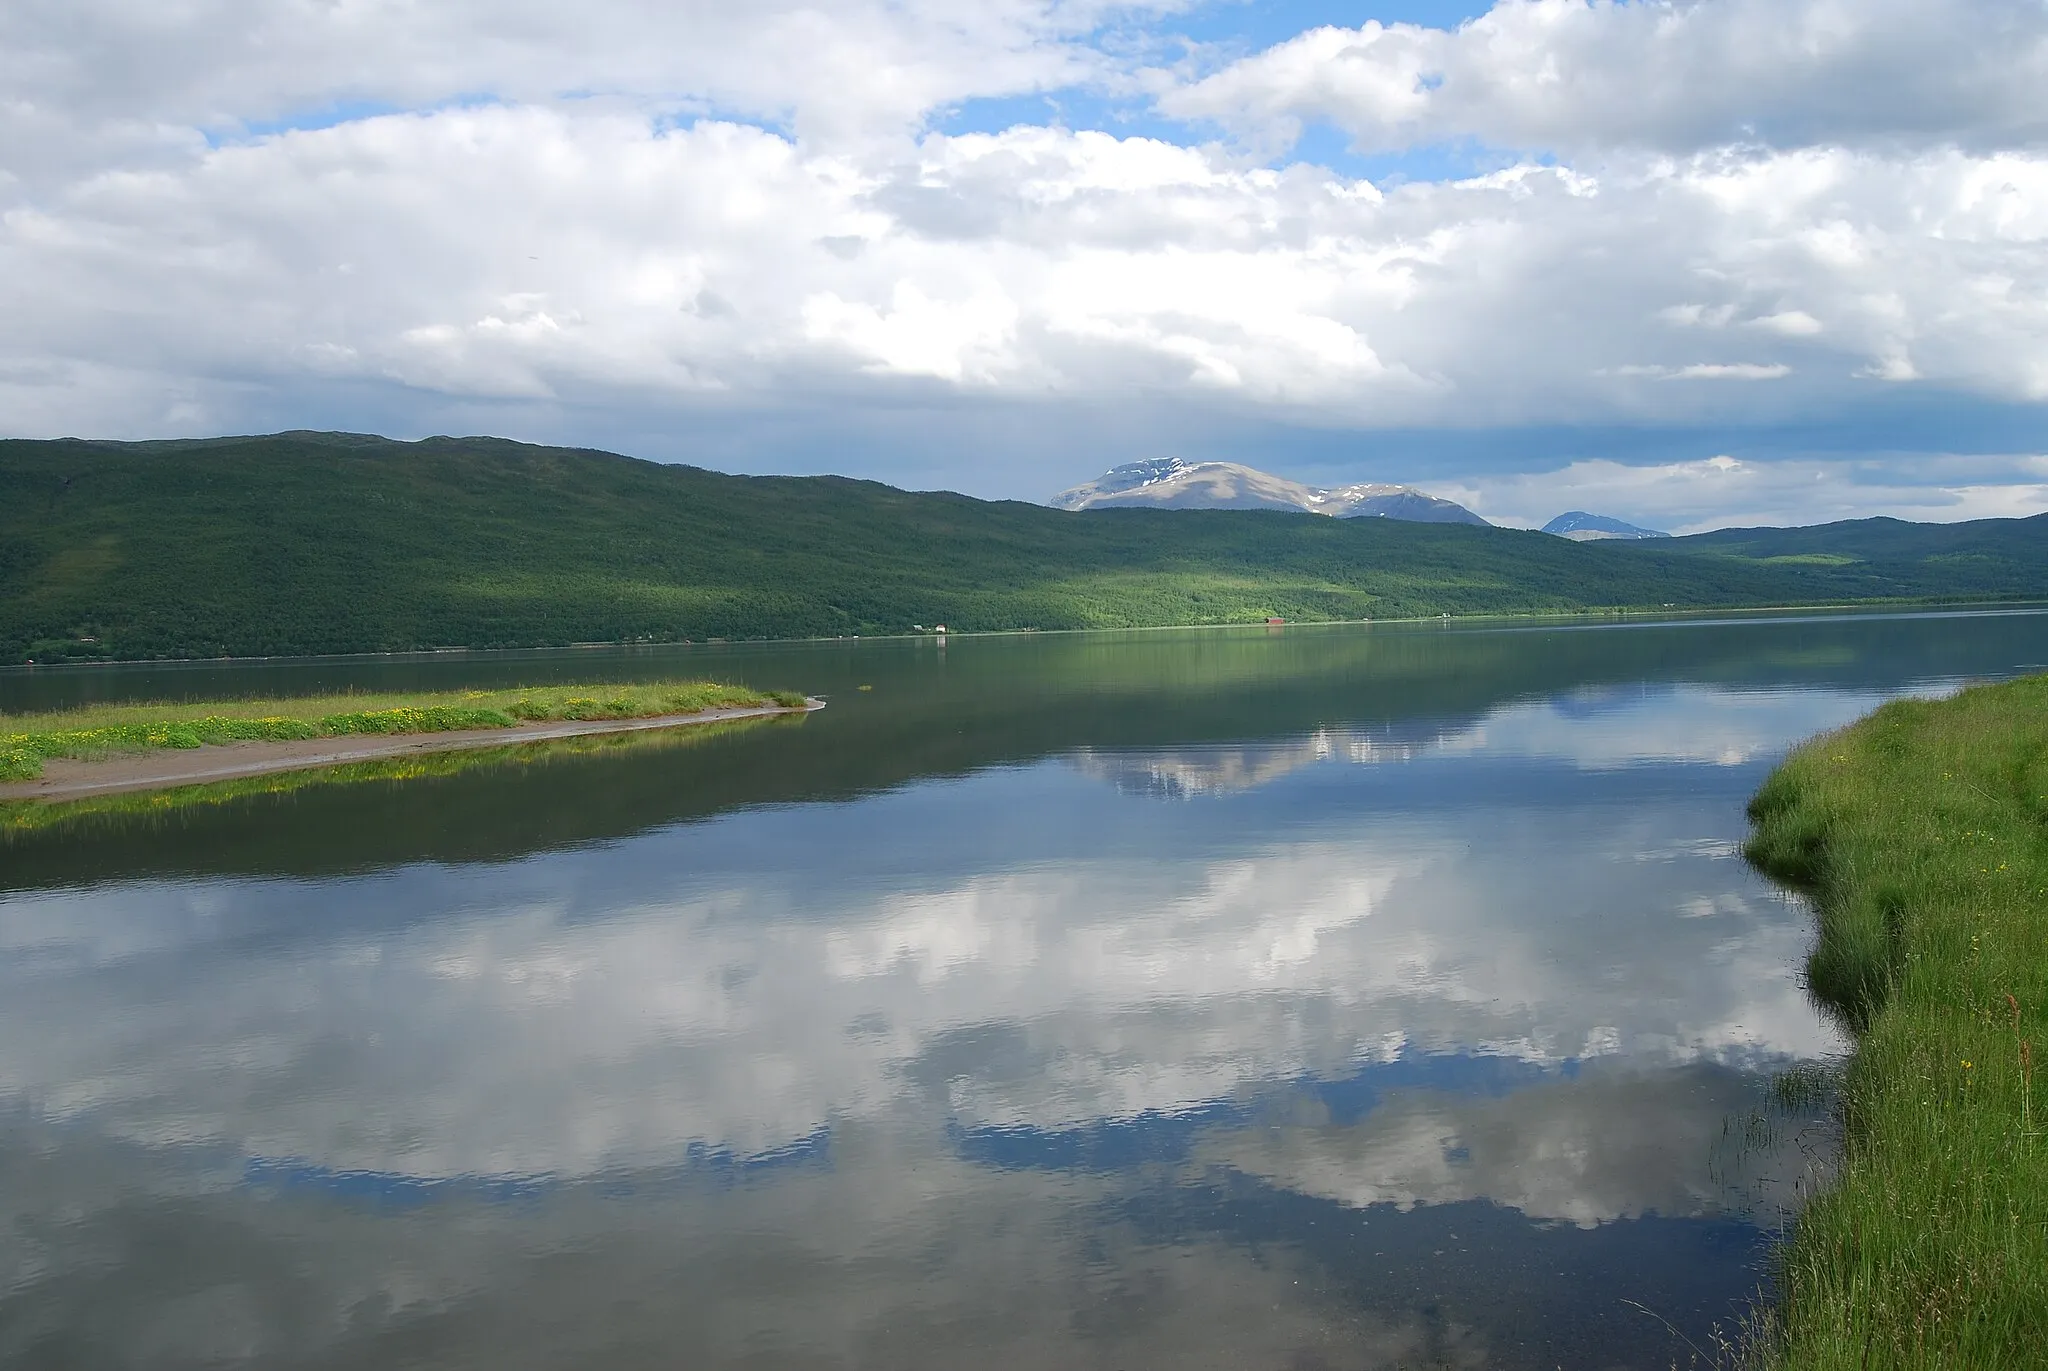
<point x="1658" y="75"/>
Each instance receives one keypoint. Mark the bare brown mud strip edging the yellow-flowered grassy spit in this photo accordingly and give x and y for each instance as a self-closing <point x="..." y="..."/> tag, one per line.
<point x="171" y="767"/>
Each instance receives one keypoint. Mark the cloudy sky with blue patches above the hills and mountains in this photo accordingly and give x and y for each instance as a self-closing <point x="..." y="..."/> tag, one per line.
<point x="1691" y="263"/>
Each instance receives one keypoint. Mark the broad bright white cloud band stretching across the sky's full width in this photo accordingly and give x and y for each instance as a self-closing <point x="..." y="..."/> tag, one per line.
<point x="593" y="259"/>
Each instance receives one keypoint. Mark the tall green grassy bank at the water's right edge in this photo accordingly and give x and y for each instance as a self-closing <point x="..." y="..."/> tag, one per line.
<point x="1920" y="837"/>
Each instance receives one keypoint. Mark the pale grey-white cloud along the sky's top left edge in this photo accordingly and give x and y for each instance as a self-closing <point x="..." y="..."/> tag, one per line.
<point x="841" y="69"/>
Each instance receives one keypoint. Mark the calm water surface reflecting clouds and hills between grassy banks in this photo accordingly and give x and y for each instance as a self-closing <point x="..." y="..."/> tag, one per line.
<point x="1308" y="999"/>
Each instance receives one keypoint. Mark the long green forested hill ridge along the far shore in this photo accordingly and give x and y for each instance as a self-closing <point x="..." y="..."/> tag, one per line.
<point x="312" y="542"/>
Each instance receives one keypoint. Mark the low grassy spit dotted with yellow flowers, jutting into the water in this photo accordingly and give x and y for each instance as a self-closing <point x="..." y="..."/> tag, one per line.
<point x="89" y="735"/>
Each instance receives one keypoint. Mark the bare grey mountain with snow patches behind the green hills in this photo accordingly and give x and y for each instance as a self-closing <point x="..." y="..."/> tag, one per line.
<point x="1175" y="485"/>
